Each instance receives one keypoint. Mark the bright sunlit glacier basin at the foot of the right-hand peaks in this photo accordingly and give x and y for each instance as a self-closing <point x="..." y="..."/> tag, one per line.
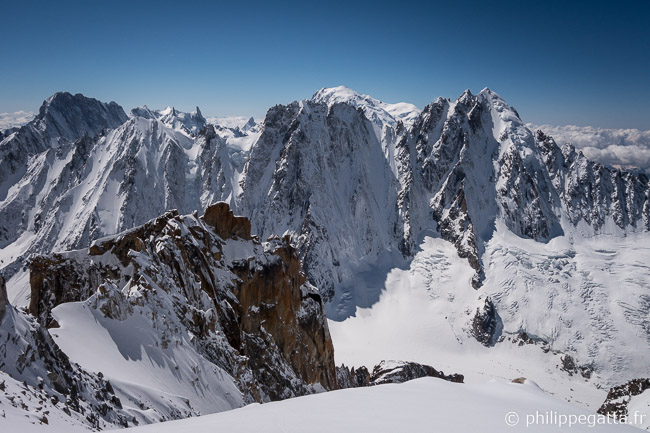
<point x="559" y="293"/>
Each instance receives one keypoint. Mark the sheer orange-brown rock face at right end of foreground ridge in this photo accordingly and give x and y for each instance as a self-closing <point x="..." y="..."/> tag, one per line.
<point x="274" y="300"/>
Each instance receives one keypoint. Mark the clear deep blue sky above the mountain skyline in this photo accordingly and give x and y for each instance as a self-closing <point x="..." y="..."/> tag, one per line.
<point x="582" y="62"/>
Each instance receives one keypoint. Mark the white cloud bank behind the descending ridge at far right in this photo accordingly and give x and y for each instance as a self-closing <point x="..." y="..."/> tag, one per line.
<point x="626" y="148"/>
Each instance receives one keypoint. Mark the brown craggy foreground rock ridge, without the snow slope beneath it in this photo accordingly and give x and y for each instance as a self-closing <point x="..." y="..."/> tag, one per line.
<point x="221" y="282"/>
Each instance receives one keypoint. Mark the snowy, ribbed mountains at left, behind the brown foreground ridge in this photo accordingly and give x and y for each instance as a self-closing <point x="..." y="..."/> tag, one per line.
<point x="82" y="170"/>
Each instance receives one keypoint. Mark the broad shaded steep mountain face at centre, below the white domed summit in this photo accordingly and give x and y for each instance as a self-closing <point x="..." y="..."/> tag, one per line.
<point x="319" y="172"/>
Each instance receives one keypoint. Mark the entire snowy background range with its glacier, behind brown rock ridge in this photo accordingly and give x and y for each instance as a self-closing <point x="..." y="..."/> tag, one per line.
<point x="439" y="236"/>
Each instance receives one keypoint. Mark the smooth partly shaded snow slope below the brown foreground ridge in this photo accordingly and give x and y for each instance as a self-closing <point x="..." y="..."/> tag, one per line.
<point x="154" y="383"/>
